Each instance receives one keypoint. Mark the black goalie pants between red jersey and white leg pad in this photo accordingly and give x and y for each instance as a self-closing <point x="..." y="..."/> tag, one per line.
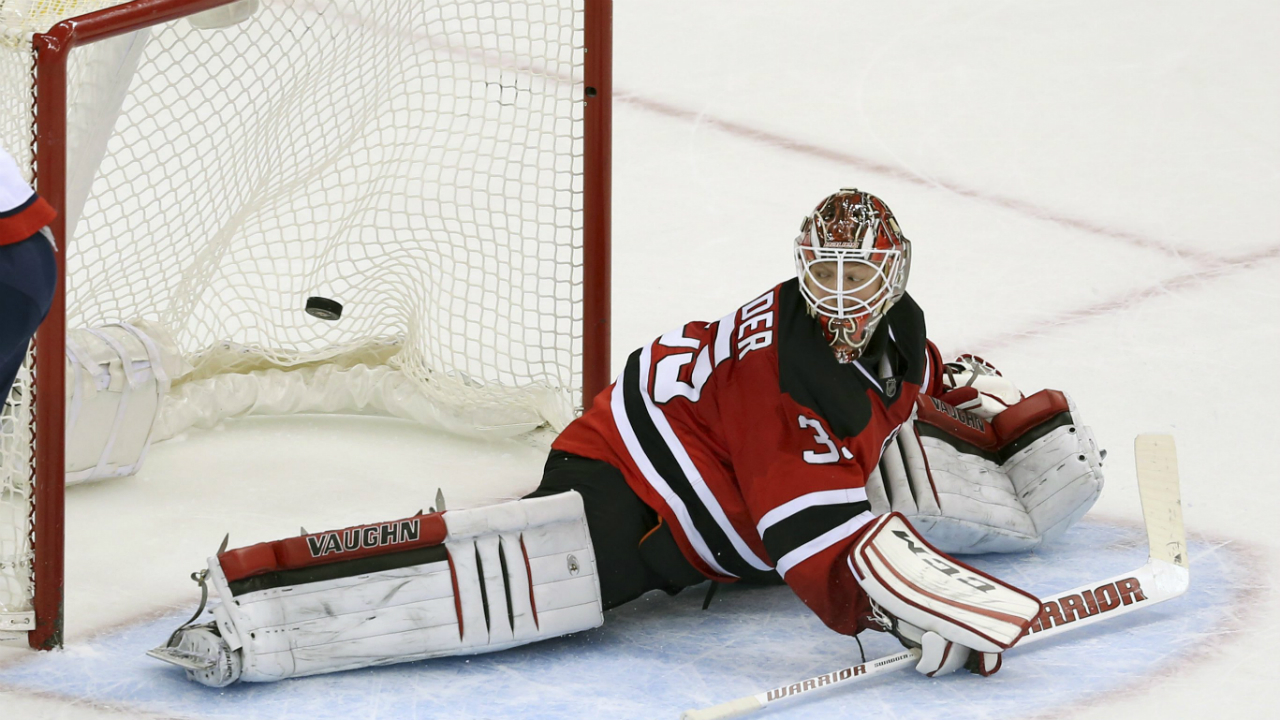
<point x="636" y="553"/>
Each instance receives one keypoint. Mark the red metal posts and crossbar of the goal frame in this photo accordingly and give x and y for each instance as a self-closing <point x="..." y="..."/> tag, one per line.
<point x="49" y="156"/>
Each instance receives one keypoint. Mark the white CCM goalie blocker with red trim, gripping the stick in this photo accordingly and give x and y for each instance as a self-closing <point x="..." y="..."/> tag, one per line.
<point x="958" y="617"/>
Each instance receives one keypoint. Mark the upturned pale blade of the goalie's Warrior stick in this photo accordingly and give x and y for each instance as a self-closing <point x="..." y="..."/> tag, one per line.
<point x="1162" y="500"/>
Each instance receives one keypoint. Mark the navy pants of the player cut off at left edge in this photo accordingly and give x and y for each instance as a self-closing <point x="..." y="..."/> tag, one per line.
<point x="29" y="275"/>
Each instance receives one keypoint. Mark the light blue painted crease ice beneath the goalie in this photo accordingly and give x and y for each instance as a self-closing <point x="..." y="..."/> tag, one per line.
<point x="660" y="657"/>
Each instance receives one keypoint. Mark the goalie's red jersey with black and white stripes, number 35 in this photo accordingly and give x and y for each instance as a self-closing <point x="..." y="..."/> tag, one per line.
<point x="755" y="444"/>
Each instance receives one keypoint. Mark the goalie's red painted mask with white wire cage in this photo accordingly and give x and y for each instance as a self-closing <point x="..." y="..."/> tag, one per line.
<point x="853" y="263"/>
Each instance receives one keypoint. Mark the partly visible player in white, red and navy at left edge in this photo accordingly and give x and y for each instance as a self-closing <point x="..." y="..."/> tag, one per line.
<point x="29" y="270"/>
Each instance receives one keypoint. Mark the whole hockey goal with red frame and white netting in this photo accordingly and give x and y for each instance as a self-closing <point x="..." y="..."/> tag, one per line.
<point x="536" y="174"/>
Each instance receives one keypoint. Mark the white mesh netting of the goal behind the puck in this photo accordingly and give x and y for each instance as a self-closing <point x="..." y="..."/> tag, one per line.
<point x="420" y="163"/>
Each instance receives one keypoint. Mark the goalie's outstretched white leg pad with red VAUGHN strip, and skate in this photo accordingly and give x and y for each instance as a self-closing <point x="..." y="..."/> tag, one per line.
<point x="461" y="582"/>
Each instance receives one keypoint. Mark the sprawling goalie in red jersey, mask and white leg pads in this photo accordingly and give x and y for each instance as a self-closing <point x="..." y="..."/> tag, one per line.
<point x="812" y="438"/>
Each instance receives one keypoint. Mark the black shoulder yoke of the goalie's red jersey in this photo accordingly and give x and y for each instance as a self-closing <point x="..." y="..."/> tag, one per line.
<point x="810" y="373"/>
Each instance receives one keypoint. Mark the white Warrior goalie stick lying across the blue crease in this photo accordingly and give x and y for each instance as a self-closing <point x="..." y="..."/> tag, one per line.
<point x="1165" y="576"/>
